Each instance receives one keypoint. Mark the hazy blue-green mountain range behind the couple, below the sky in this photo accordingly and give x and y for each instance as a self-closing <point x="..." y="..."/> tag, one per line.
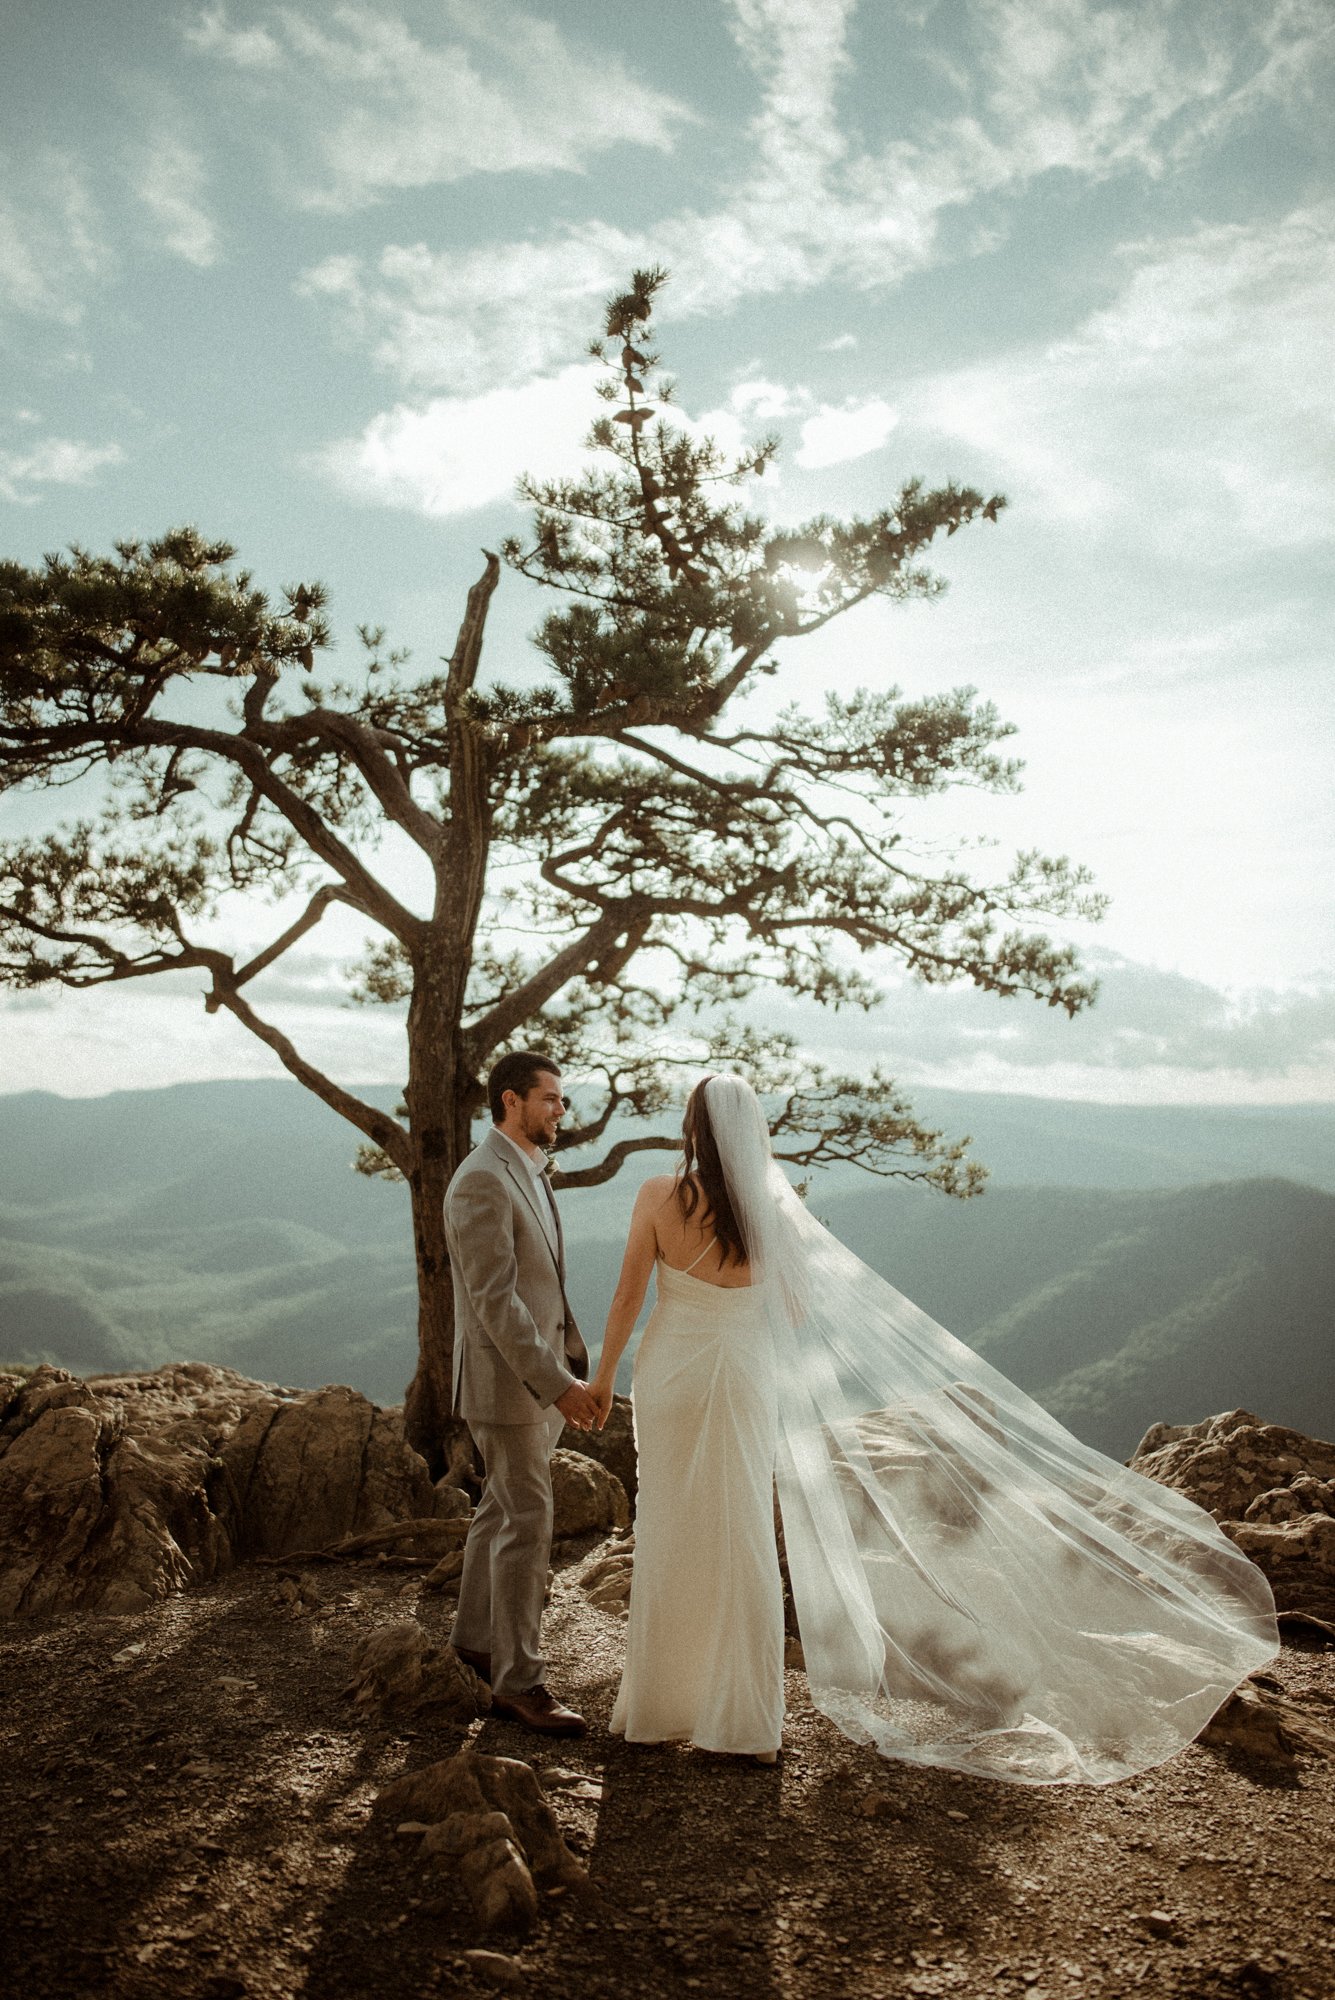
<point x="1170" y="1263"/>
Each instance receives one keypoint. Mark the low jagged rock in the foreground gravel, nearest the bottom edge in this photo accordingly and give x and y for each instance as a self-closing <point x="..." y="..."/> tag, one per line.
<point x="487" y="1821"/>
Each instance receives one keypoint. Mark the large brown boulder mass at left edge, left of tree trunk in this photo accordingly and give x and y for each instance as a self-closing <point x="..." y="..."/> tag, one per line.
<point x="123" y="1489"/>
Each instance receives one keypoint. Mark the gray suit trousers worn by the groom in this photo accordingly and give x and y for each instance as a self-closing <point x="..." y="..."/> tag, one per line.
<point x="509" y="1553"/>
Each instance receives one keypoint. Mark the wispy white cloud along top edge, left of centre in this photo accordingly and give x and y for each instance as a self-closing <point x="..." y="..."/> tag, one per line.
<point x="369" y="107"/>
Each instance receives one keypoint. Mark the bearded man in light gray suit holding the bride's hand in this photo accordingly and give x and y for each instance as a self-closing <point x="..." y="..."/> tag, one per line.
<point x="519" y="1367"/>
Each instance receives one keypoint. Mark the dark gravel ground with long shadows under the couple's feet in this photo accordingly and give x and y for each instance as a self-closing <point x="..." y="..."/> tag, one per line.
<point x="189" y="1813"/>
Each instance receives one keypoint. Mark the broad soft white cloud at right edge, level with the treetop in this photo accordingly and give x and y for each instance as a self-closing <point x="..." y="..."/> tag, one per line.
<point x="1204" y="383"/>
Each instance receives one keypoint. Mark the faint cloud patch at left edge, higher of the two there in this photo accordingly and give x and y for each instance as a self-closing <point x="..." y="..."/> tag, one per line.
<point x="51" y="237"/>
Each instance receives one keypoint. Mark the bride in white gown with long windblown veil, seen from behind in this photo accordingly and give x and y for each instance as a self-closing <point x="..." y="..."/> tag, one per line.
<point x="974" y="1587"/>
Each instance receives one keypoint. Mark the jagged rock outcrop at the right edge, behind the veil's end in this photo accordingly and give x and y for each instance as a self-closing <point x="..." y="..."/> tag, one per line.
<point x="1270" y="1489"/>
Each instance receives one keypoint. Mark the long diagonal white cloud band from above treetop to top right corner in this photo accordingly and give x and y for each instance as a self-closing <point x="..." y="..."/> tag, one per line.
<point x="1068" y="89"/>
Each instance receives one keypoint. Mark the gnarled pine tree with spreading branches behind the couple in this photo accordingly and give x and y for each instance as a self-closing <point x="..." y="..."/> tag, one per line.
<point x="623" y="857"/>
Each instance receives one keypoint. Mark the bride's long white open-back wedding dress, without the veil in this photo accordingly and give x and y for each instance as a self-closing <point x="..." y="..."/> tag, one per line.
<point x="704" y="1649"/>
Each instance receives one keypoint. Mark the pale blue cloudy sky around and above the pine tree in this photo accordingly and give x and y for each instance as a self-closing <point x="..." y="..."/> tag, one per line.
<point x="319" y="279"/>
